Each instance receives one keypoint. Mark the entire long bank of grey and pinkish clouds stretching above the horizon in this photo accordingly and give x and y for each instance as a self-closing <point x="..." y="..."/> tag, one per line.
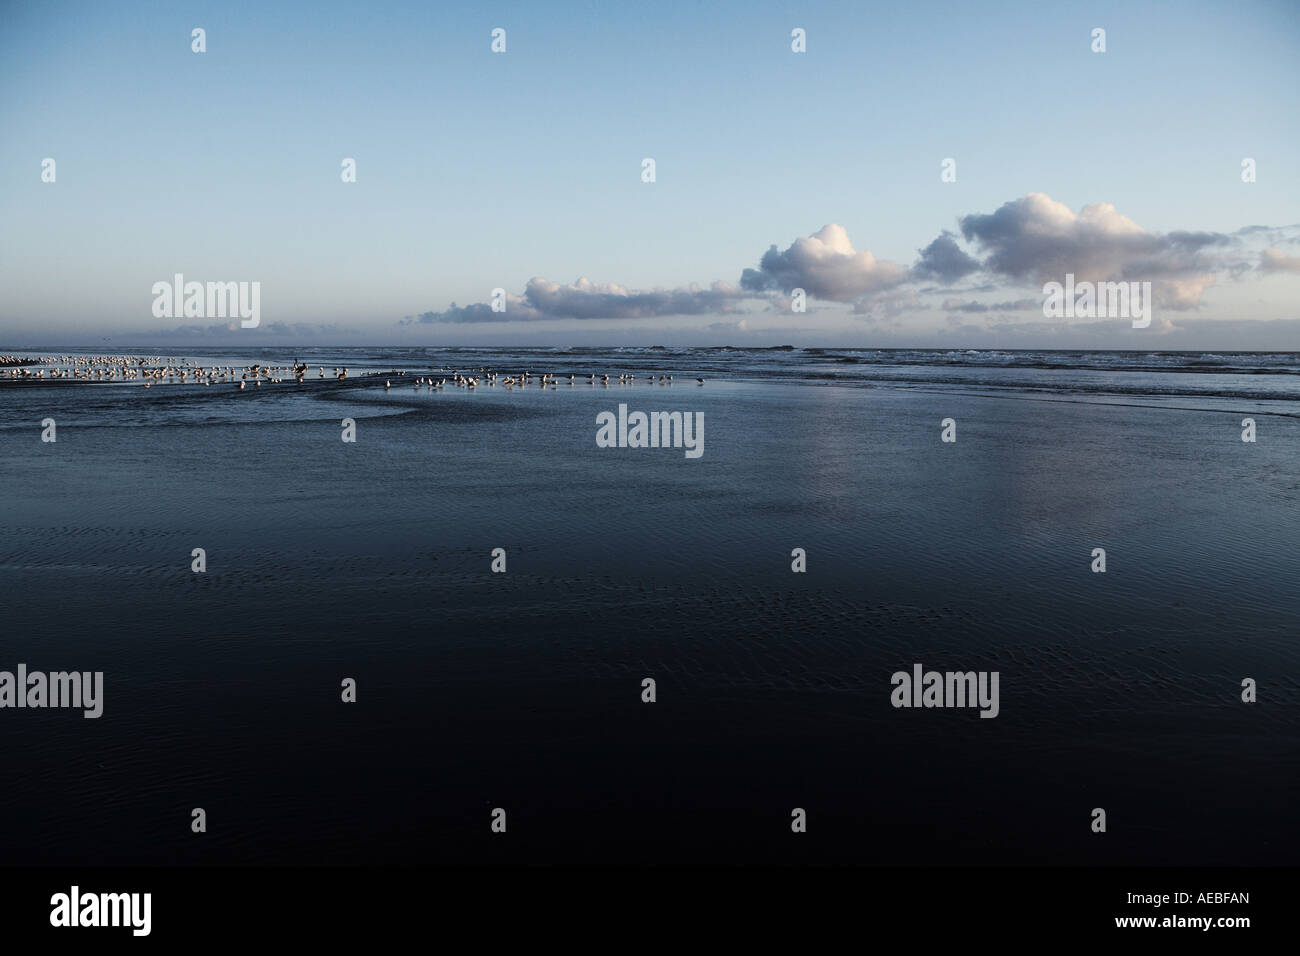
<point x="1024" y="244"/>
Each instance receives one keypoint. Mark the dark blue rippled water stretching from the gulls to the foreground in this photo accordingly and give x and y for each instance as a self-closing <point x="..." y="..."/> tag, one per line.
<point x="523" y="690"/>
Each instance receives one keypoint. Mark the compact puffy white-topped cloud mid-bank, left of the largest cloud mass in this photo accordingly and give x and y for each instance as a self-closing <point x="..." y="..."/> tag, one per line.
<point x="825" y="266"/>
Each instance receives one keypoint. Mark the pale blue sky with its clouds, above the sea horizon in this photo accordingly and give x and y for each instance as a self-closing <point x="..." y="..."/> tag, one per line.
<point x="774" y="171"/>
